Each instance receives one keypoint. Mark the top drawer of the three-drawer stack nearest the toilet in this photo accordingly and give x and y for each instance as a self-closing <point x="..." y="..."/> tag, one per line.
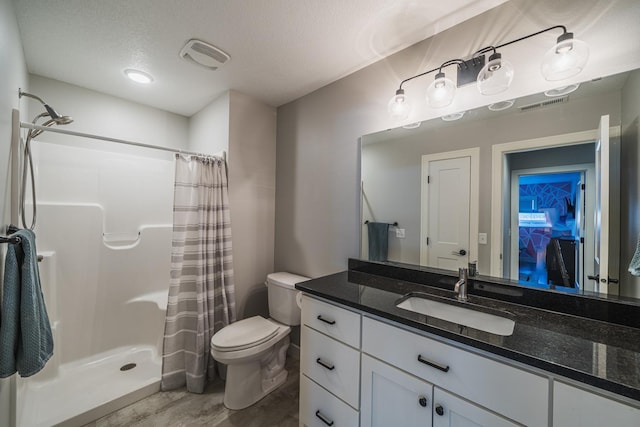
<point x="336" y="322"/>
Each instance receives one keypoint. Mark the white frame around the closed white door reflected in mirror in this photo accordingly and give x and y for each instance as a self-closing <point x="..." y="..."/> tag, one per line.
<point x="474" y="193"/>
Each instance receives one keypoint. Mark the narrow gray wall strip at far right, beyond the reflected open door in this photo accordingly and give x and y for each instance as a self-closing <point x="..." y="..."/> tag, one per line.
<point x="629" y="197"/>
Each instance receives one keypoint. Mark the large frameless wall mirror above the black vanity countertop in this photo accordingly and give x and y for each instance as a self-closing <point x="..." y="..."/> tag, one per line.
<point x="529" y="189"/>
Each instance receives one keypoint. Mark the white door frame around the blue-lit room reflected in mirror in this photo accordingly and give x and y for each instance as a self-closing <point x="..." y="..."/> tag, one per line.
<point x="588" y="173"/>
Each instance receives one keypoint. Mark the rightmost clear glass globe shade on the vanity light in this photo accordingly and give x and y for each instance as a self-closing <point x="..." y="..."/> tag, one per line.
<point x="564" y="60"/>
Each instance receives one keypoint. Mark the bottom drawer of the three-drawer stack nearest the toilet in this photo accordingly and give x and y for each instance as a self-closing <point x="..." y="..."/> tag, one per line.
<point x="319" y="408"/>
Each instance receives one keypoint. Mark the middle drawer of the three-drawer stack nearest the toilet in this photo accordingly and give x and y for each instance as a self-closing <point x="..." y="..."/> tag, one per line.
<point x="331" y="364"/>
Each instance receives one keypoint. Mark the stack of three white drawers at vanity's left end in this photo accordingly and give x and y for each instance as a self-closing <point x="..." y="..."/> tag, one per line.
<point x="329" y="365"/>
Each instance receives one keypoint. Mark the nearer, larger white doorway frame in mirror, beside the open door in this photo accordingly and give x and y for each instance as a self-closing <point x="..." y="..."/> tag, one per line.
<point x="498" y="152"/>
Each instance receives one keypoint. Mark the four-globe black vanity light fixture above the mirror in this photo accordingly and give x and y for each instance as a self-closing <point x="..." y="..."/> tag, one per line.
<point x="566" y="59"/>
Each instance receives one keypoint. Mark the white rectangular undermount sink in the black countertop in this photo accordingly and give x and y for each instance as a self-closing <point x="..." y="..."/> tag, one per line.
<point x="462" y="314"/>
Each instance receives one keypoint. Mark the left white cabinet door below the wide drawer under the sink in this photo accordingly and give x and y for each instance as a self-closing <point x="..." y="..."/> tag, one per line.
<point x="391" y="397"/>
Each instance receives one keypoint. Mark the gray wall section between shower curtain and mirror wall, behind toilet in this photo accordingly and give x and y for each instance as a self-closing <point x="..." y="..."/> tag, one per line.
<point x="246" y="129"/>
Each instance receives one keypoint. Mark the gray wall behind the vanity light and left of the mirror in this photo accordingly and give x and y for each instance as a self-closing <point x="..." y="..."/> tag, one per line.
<point x="317" y="224"/>
